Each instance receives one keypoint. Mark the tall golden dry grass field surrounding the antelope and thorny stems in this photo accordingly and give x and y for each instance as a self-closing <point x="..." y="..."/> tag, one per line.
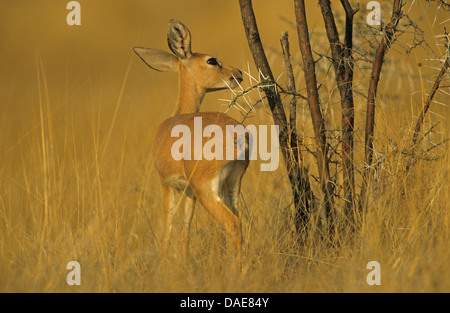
<point x="77" y="181"/>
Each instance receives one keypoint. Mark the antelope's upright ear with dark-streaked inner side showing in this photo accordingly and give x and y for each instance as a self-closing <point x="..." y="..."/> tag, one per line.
<point x="179" y="39"/>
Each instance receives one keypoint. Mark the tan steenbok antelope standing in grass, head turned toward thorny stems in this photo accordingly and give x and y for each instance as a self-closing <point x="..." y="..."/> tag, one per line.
<point x="215" y="183"/>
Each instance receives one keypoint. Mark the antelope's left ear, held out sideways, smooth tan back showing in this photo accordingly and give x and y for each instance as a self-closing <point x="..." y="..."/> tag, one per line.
<point x="157" y="59"/>
